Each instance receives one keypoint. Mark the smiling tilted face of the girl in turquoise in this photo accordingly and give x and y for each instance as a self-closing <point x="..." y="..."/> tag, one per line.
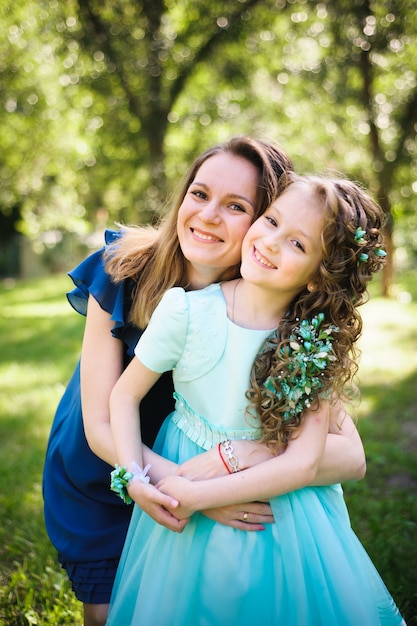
<point x="282" y="249"/>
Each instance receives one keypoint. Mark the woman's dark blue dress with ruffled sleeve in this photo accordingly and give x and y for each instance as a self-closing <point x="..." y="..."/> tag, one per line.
<point x="85" y="521"/>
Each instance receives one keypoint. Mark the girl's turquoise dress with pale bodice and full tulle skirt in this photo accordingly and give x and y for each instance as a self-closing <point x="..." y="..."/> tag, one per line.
<point x="306" y="569"/>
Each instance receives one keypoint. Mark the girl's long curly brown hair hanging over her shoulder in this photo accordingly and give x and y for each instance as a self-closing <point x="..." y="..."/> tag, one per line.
<point x="351" y="252"/>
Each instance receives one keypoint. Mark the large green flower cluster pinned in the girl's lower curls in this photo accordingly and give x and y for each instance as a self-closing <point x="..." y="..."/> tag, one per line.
<point x="307" y="355"/>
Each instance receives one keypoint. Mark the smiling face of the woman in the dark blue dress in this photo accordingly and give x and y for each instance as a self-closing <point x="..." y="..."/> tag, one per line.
<point x="216" y="212"/>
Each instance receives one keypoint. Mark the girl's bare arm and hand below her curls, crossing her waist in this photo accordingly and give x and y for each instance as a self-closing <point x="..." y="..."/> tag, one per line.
<point x="295" y="469"/>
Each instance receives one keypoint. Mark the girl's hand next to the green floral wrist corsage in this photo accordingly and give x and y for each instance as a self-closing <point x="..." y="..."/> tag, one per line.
<point x="160" y="506"/>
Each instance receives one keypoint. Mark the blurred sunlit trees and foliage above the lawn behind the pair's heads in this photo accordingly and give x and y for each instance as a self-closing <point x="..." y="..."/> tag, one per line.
<point x="105" y="104"/>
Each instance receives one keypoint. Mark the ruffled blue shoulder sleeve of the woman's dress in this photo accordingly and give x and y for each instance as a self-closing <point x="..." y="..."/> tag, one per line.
<point x="90" y="278"/>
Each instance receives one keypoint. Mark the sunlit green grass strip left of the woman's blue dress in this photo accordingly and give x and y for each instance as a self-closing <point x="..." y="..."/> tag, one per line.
<point x="40" y="343"/>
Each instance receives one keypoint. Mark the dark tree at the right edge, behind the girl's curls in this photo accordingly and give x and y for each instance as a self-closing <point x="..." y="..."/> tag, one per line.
<point x="379" y="54"/>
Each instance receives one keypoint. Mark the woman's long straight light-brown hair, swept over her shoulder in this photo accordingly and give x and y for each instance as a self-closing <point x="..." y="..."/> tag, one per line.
<point x="152" y="257"/>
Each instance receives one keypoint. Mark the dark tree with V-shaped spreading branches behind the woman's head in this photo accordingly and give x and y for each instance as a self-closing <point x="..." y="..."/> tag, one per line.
<point x="152" y="49"/>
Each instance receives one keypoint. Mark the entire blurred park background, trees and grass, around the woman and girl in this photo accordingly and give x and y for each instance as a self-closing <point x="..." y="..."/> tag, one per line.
<point x="104" y="105"/>
